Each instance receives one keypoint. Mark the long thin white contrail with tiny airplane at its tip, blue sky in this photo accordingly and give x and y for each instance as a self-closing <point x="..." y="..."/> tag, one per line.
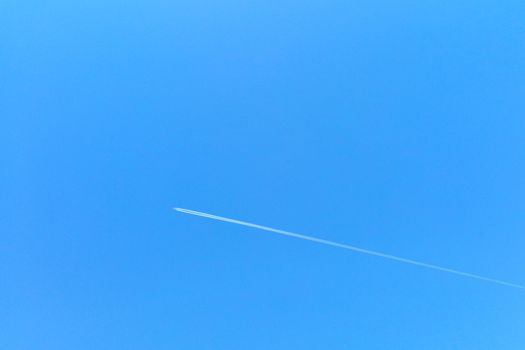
<point x="350" y="247"/>
